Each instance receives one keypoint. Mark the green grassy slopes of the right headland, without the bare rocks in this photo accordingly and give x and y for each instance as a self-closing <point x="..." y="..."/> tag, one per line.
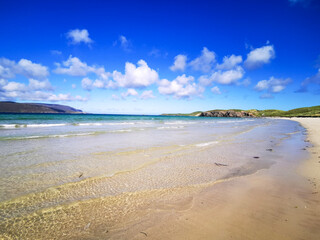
<point x="298" y="112"/>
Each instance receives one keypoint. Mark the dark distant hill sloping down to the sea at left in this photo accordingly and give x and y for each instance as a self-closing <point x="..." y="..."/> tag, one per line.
<point x="13" y="107"/>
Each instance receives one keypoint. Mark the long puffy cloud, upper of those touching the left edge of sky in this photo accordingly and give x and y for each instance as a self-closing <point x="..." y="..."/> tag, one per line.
<point x="25" y="67"/>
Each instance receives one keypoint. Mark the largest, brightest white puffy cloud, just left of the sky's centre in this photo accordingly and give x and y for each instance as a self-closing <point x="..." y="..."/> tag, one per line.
<point x="135" y="76"/>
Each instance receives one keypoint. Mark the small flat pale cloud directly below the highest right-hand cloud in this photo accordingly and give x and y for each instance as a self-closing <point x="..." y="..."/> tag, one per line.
<point x="273" y="85"/>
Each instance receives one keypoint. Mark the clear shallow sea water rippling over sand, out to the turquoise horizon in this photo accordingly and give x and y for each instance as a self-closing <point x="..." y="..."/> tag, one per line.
<point x="58" y="170"/>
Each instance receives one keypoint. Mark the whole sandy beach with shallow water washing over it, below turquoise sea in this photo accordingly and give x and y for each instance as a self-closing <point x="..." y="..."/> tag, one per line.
<point x="180" y="178"/>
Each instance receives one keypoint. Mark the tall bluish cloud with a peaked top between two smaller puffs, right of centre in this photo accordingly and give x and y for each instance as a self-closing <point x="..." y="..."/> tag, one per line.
<point x="205" y="61"/>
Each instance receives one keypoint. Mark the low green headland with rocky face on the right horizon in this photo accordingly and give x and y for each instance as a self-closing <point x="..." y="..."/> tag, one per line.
<point x="297" y="112"/>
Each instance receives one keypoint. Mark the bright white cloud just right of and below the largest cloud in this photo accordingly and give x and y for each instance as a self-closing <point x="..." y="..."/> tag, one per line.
<point x="180" y="87"/>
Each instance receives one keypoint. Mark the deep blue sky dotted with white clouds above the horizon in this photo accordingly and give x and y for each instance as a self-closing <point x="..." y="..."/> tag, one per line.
<point x="153" y="57"/>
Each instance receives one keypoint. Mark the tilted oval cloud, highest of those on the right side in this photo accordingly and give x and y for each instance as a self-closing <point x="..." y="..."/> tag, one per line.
<point x="259" y="56"/>
